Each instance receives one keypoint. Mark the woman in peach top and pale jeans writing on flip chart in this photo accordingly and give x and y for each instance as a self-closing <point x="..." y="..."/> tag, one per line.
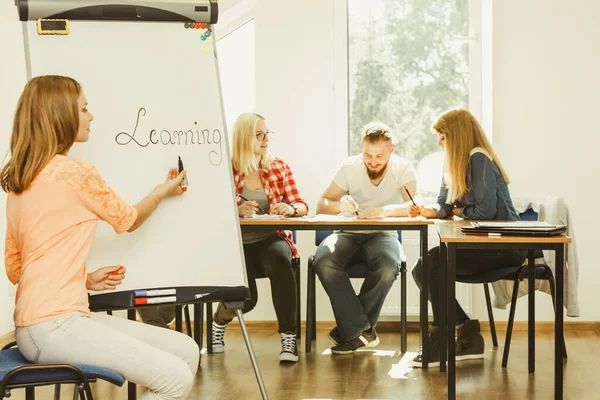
<point x="53" y="207"/>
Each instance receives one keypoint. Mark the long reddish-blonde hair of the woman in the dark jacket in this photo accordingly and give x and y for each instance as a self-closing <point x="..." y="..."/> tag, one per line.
<point x="463" y="133"/>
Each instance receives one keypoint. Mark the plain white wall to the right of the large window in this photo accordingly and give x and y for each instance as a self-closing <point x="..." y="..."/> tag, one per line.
<point x="546" y="76"/>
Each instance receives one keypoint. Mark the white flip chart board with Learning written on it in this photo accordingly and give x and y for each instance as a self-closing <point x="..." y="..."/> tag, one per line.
<point x="154" y="91"/>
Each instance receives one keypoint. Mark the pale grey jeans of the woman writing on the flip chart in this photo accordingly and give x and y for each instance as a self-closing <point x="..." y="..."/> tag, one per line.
<point x="162" y="360"/>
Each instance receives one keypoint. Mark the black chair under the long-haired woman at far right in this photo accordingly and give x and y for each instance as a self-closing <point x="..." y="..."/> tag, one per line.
<point x="515" y="273"/>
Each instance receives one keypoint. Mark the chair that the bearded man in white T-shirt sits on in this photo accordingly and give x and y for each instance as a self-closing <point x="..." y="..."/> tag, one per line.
<point x="357" y="270"/>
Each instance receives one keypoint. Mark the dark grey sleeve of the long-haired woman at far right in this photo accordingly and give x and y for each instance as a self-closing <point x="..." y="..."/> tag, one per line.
<point x="483" y="187"/>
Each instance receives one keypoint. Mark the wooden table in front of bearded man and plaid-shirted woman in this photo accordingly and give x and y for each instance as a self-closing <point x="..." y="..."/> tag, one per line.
<point x="395" y="224"/>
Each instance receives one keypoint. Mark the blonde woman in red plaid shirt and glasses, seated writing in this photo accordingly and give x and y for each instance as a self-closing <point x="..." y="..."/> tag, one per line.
<point x="264" y="184"/>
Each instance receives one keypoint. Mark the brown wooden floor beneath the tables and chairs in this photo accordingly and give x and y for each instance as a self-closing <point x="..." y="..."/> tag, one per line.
<point x="383" y="373"/>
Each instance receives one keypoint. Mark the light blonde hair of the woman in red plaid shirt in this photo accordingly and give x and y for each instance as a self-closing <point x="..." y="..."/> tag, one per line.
<point x="242" y="153"/>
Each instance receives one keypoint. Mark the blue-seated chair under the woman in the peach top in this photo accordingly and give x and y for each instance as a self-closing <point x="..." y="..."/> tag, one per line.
<point x="18" y="373"/>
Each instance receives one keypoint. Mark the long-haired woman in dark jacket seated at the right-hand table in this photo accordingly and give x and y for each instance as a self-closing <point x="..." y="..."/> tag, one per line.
<point x="474" y="186"/>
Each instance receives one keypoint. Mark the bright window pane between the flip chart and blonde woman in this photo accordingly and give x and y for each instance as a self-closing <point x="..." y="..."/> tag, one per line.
<point x="237" y="68"/>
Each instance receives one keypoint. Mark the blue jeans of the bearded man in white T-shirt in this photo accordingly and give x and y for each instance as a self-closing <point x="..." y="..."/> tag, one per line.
<point x="381" y="253"/>
